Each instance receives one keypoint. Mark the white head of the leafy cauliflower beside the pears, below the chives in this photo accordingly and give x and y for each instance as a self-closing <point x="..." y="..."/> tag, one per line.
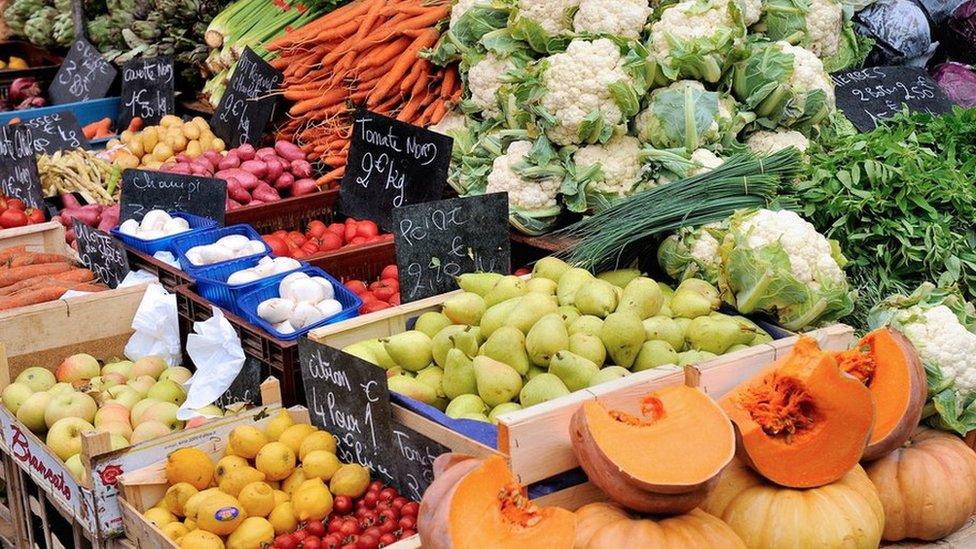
<point x="811" y="259"/>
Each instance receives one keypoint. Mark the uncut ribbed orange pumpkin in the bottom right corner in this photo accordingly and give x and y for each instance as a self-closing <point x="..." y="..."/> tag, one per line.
<point x="927" y="487"/>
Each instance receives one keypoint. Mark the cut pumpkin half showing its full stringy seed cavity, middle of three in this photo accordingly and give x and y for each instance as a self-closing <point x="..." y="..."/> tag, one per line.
<point x="803" y="422"/>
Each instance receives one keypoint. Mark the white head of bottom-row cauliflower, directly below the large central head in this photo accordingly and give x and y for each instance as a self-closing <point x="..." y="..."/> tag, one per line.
<point x="619" y="161"/>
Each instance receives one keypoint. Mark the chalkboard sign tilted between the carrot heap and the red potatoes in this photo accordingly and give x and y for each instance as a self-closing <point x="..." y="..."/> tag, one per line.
<point x="246" y="106"/>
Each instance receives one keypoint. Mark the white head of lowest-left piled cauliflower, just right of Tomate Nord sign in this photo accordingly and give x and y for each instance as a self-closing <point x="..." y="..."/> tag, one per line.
<point x="524" y="194"/>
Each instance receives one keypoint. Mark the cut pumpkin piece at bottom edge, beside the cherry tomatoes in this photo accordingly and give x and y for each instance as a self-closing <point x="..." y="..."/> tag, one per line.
<point x="476" y="503"/>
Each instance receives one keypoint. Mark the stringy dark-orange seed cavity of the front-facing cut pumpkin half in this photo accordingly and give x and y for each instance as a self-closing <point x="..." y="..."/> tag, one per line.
<point x="780" y="405"/>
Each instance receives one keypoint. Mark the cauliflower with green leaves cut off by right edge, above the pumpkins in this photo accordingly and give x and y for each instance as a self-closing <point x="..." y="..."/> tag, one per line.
<point x="942" y="327"/>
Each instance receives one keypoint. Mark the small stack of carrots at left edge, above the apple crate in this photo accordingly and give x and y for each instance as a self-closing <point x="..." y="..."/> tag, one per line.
<point x="27" y="278"/>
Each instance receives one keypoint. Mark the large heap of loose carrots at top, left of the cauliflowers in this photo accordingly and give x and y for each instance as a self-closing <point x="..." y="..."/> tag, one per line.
<point x="365" y="52"/>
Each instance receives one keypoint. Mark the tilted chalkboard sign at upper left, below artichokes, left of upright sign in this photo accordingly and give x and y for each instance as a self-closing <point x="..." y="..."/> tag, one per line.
<point x="84" y="75"/>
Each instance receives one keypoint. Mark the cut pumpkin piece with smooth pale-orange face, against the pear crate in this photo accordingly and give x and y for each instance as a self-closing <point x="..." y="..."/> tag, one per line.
<point x="663" y="462"/>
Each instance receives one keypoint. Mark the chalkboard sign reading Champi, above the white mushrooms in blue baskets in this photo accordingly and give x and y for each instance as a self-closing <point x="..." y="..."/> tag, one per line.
<point x="144" y="190"/>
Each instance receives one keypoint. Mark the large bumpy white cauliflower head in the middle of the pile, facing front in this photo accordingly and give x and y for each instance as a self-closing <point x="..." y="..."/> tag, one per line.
<point x="577" y="82"/>
